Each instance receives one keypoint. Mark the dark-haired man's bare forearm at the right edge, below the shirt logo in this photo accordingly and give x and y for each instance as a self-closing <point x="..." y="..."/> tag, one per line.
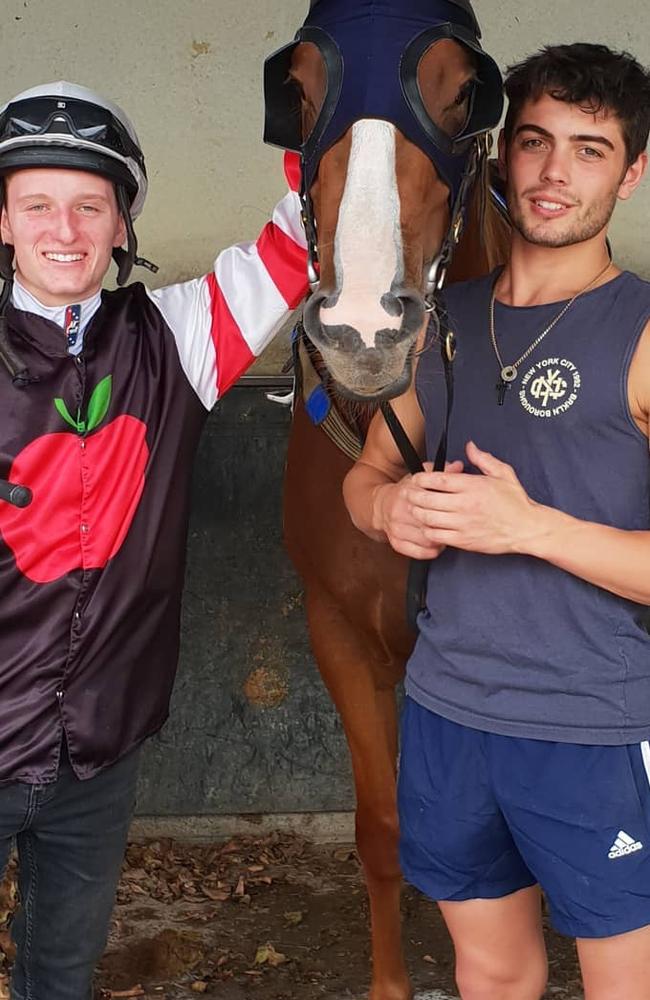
<point x="611" y="558"/>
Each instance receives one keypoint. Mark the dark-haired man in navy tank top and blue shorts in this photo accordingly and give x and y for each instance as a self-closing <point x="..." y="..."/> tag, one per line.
<point x="526" y="735"/>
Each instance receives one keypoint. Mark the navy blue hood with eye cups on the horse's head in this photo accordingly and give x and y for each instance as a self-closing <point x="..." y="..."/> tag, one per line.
<point x="372" y="51"/>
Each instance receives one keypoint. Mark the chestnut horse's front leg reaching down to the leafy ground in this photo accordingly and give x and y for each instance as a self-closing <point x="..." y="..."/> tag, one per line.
<point x="364" y="694"/>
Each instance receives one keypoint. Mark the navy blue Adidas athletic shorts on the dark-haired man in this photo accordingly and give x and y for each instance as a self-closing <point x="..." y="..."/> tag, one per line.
<point x="482" y="816"/>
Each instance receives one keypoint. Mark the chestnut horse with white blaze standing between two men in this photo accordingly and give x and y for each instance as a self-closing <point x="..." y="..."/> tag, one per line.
<point x="382" y="208"/>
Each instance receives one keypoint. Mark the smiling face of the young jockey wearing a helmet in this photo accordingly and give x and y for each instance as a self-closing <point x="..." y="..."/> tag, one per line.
<point x="63" y="225"/>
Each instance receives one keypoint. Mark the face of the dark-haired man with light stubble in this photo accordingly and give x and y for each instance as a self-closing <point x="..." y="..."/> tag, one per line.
<point x="565" y="167"/>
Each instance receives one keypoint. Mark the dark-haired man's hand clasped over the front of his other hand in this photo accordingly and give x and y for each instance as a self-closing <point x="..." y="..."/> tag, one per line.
<point x="489" y="513"/>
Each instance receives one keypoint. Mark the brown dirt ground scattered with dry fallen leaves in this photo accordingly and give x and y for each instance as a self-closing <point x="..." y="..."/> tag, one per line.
<point x="270" y="919"/>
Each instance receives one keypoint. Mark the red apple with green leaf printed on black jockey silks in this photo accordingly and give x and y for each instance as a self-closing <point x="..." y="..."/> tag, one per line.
<point x="86" y="489"/>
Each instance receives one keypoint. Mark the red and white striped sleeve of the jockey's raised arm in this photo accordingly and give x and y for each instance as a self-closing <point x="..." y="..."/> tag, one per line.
<point x="224" y="320"/>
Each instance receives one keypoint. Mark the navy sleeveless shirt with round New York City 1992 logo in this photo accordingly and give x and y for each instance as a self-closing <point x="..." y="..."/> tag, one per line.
<point x="511" y="644"/>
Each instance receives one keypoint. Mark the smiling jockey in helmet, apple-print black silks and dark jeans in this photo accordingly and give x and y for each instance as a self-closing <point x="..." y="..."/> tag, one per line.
<point x="103" y="396"/>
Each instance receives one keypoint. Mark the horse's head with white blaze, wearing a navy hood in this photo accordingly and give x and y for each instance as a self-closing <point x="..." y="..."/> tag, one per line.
<point x="385" y="102"/>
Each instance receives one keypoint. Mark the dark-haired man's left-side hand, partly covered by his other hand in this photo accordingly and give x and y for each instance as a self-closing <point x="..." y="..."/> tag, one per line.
<point x="403" y="528"/>
